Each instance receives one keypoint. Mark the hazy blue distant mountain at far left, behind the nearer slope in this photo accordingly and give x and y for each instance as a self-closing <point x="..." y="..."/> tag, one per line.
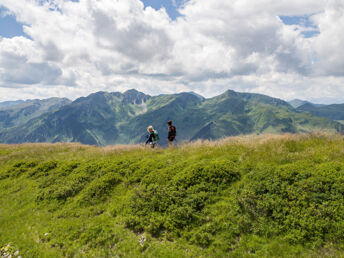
<point x="19" y="112"/>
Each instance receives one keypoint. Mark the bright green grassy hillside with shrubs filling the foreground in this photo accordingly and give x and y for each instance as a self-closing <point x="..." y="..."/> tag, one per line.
<point x="258" y="196"/>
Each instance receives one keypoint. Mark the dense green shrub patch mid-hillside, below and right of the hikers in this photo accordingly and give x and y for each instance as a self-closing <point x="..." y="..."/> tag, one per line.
<point x="179" y="205"/>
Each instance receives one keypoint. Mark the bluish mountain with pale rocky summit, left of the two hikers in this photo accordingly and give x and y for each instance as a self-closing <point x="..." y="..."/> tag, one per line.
<point x="90" y="120"/>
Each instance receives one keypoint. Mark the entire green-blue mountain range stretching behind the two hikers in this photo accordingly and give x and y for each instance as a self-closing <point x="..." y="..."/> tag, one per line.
<point x="105" y="118"/>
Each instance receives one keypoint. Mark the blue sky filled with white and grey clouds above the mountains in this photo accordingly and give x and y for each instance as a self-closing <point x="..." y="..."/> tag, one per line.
<point x="63" y="48"/>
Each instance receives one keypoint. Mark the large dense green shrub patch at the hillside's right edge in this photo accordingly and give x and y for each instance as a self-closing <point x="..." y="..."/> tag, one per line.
<point x="301" y="201"/>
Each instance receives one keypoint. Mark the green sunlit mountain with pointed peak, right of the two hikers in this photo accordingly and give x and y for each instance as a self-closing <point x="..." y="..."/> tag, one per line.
<point x="241" y="113"/>
